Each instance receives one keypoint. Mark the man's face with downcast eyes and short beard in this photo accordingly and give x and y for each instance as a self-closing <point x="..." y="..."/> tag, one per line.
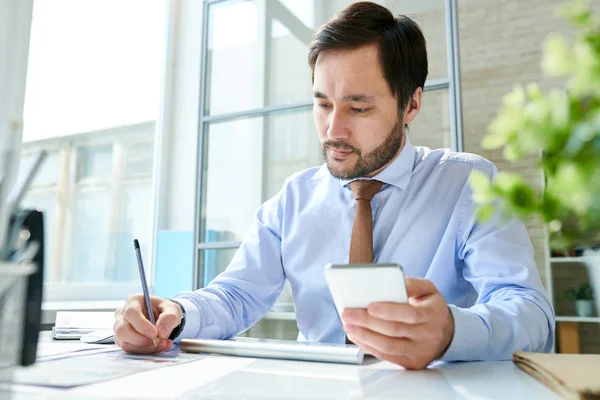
<point x="355" y="113"/>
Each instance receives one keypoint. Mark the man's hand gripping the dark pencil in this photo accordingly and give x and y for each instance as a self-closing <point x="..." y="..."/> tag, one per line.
<point x="134" y="332"/>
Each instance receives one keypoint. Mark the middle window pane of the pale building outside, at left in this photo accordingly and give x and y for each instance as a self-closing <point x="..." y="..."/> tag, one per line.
<point x="90" y="246"/>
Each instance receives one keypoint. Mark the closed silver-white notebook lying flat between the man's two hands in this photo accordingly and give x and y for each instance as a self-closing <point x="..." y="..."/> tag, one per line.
<point x="280" y="349"/>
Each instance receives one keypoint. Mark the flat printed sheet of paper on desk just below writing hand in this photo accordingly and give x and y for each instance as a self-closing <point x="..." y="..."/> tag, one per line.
<point x="87" y="369"/>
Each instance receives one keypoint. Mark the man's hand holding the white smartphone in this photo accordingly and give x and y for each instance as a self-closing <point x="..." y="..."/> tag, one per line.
<point x="411" y="335"/>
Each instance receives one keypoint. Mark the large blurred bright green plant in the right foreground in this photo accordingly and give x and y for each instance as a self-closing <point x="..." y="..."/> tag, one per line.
<point x="562" y="129"/>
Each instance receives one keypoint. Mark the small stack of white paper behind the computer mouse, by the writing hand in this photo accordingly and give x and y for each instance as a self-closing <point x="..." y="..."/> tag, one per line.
<point x="74" y="324"/>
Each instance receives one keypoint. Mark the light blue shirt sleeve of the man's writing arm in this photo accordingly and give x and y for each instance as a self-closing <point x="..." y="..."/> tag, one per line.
<point x="241" y="295"/>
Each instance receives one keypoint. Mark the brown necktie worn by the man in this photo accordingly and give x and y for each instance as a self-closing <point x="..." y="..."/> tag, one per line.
<point x="361" y="242"/>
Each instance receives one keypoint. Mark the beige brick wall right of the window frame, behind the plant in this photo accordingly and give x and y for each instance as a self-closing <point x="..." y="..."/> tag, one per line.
<point x="500" y="45"/>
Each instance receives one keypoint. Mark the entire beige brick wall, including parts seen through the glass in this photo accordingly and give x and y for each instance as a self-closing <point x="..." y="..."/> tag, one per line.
<point x="500" y="43"/>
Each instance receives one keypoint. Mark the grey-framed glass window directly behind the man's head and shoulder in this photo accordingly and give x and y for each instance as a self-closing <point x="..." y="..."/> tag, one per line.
<point x="256" y="123"/>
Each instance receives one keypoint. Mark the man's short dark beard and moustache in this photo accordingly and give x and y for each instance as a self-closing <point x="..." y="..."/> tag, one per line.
<point x="369" y="162"/>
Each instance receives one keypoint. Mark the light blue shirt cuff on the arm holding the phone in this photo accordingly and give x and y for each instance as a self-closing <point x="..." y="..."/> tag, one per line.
<point x="470" y="336"/>
